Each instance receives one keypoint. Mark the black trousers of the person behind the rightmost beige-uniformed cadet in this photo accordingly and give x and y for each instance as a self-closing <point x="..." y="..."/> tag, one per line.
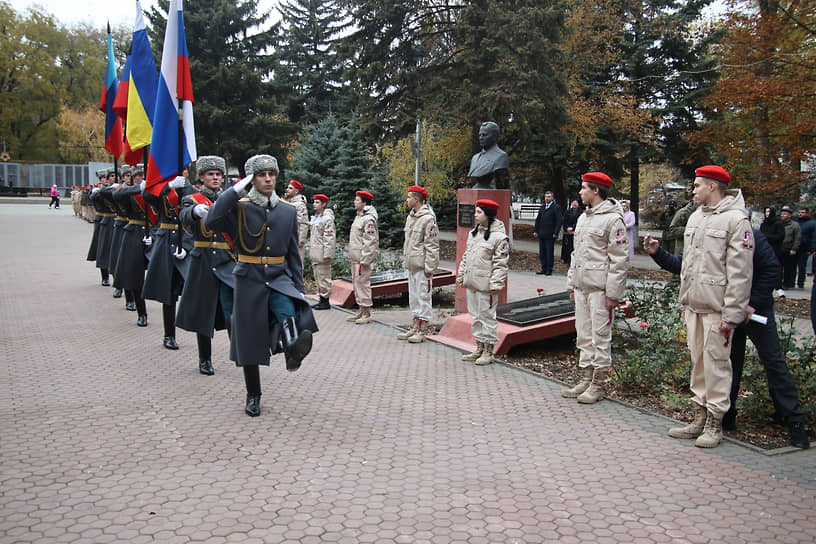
<point x="780" y="382"/>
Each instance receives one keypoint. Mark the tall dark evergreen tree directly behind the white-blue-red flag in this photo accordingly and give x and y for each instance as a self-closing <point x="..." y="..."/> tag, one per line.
<point x="238" y="109"/>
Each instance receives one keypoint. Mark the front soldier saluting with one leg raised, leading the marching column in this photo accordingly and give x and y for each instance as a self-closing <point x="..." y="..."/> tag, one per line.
<point x="270" y="310"/>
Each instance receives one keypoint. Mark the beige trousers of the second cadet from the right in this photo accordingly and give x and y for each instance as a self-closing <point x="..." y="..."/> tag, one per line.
<point x="593" y="325"/>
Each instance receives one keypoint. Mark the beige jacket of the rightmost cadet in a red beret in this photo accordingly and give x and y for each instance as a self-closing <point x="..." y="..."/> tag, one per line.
<point x="718" y="259"/>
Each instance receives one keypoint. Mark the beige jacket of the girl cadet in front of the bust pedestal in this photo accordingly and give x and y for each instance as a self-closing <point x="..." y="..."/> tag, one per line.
<point x="485" y="262"/>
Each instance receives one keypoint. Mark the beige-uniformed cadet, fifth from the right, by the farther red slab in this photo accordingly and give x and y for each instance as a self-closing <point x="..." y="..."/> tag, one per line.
<point x="364" y="243"/>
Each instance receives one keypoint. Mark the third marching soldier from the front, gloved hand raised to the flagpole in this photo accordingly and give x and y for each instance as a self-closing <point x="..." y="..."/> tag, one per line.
<point x="168" y="264"/>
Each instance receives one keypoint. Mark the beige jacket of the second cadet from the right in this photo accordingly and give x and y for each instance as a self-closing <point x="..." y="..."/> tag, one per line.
<point x="600" y="258"/>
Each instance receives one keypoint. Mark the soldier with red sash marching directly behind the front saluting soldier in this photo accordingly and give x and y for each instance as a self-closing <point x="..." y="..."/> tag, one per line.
<point x="206" y="301"/>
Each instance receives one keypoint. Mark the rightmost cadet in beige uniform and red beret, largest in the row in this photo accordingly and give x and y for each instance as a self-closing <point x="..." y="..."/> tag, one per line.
<point x="715" y="286"/>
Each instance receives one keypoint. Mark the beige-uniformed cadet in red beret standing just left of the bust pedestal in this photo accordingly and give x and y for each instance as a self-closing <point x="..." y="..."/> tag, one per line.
<point x="420" y="257"/>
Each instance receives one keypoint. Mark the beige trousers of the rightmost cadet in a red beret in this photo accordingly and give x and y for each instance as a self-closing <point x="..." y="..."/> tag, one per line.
<point x="710" y="362"/>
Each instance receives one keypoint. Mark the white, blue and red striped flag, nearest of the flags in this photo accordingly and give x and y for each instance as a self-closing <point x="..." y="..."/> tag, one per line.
<point x="172" y="145"/>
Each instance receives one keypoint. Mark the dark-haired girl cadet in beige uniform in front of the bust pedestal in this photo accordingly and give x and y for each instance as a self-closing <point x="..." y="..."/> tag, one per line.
<point x="483" y="272"/>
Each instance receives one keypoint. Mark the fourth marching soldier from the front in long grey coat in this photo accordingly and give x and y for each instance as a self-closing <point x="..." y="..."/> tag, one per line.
<point x="132" y="260"/>
